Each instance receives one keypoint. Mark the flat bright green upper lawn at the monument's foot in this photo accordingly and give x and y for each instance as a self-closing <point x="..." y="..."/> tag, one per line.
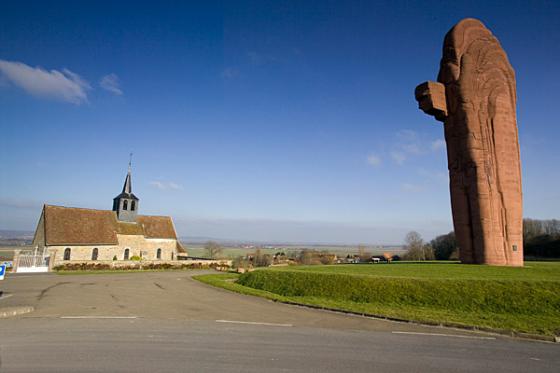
<point x="532" y="271"/>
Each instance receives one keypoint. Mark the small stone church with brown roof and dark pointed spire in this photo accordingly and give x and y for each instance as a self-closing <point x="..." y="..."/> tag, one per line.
<point x="80" y="234"/>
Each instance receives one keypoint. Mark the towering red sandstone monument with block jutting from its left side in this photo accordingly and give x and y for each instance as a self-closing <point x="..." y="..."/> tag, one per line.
<point x="475" y="99"/>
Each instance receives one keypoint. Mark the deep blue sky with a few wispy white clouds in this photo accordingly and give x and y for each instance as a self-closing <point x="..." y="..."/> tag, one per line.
<point x="275" y="121"/>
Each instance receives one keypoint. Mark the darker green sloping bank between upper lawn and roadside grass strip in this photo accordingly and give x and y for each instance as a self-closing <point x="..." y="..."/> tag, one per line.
<point x="488" y="296"/>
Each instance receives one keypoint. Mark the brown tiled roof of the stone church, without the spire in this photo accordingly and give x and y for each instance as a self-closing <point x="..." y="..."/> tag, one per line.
<point x="80" y="226"/>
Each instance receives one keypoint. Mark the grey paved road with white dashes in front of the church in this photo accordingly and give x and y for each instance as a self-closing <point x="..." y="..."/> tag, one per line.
<point x="165" y="321"/>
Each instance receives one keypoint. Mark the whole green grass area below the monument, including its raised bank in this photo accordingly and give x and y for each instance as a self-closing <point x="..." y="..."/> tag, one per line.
<point x="523" y="300"/>
